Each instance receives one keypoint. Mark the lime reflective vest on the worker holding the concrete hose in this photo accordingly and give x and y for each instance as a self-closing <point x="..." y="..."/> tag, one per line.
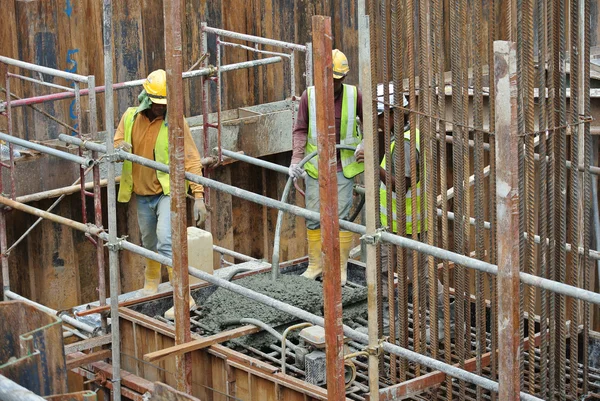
<point x="349" y="133"/>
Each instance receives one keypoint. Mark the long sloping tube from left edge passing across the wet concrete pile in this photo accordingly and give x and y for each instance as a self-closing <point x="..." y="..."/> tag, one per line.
<point x="274" y="303"/>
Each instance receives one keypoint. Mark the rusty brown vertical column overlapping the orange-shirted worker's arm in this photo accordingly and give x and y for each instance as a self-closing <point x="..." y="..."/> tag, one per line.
<point x="181" y="292"/>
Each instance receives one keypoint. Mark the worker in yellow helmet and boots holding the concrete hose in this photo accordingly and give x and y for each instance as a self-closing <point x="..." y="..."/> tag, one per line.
<point x="348" y="106"/>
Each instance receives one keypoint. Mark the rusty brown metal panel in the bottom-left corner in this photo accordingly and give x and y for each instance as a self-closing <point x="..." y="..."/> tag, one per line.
<point x="32" y="348"/>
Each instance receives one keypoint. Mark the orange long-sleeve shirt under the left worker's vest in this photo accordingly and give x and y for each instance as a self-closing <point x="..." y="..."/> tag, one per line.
<point x="143" y="137"/>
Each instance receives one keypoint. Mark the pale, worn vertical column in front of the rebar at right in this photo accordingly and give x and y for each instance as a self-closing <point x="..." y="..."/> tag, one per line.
<point x="507" y="198"/>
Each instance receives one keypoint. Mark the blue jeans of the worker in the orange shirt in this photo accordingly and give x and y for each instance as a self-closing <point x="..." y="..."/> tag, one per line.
<point x="154" y="219"/>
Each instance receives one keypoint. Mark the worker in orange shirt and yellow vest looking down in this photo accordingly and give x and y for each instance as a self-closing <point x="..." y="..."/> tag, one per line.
<point x="143" y="132"/>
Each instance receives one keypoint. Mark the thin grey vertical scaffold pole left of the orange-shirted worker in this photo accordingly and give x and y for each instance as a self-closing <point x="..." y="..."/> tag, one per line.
<point x="111" y="201"/>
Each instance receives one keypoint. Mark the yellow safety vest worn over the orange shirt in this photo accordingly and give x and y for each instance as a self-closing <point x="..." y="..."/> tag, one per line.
<point x="161" y="155"/>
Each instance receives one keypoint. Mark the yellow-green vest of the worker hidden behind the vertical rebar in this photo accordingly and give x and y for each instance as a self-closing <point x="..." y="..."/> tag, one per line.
<point x="408" y="204"/>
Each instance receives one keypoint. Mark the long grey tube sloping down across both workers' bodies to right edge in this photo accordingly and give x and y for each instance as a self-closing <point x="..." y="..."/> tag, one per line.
<point x="480" y="265"/>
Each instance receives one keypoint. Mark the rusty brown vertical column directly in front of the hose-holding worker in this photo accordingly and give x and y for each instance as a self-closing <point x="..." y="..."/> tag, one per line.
<point x="334" y="336"/>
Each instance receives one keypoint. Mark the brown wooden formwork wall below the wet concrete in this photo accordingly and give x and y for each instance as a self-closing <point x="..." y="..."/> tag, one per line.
<point x="218" y="373"/>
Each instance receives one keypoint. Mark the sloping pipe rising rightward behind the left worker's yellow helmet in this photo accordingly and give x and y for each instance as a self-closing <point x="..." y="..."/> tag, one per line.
<point x="139" y="82"/>
